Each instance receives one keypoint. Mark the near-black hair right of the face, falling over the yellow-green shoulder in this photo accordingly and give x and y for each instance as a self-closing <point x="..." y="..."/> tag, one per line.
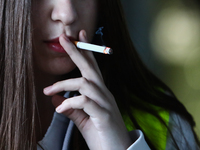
<point x="132" y="84"/>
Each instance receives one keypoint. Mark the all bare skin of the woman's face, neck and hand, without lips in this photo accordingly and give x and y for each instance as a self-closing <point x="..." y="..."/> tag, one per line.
<point x="95" y="111"/>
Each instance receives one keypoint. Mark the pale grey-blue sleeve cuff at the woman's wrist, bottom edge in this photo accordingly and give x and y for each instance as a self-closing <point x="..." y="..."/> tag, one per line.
<point x="140" y="143"/>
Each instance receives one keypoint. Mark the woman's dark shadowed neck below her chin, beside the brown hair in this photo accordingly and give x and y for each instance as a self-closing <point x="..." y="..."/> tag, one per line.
<point x="45" y="106"/>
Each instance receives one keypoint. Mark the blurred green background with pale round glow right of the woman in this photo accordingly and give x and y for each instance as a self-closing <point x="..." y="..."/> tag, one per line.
<point x="167" y="37"/>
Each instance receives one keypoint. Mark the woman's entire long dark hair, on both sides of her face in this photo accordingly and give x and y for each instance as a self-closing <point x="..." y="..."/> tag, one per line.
<point x="124" y="74"/>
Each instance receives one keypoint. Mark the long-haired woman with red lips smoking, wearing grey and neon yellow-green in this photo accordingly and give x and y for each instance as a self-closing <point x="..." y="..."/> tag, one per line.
<point x="37" y="51"/>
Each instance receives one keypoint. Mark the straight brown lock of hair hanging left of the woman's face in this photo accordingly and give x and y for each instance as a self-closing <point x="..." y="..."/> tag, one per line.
<point x="17" y="100"/>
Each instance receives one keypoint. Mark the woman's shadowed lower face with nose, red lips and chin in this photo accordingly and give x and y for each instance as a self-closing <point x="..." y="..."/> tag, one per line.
<point x="51" y="18"/>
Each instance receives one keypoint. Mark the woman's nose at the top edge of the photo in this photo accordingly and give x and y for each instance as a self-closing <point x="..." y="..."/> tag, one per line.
<point x="64" y="11"/>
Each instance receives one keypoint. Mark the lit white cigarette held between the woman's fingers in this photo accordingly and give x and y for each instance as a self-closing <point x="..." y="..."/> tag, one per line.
<point x="92" y="47"/>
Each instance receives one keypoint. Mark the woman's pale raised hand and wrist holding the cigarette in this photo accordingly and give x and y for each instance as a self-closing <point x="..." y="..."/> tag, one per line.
<point x="95" y="111"/>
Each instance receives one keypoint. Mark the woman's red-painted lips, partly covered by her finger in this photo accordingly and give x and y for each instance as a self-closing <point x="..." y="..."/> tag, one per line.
<point x="54" y="44"/>
